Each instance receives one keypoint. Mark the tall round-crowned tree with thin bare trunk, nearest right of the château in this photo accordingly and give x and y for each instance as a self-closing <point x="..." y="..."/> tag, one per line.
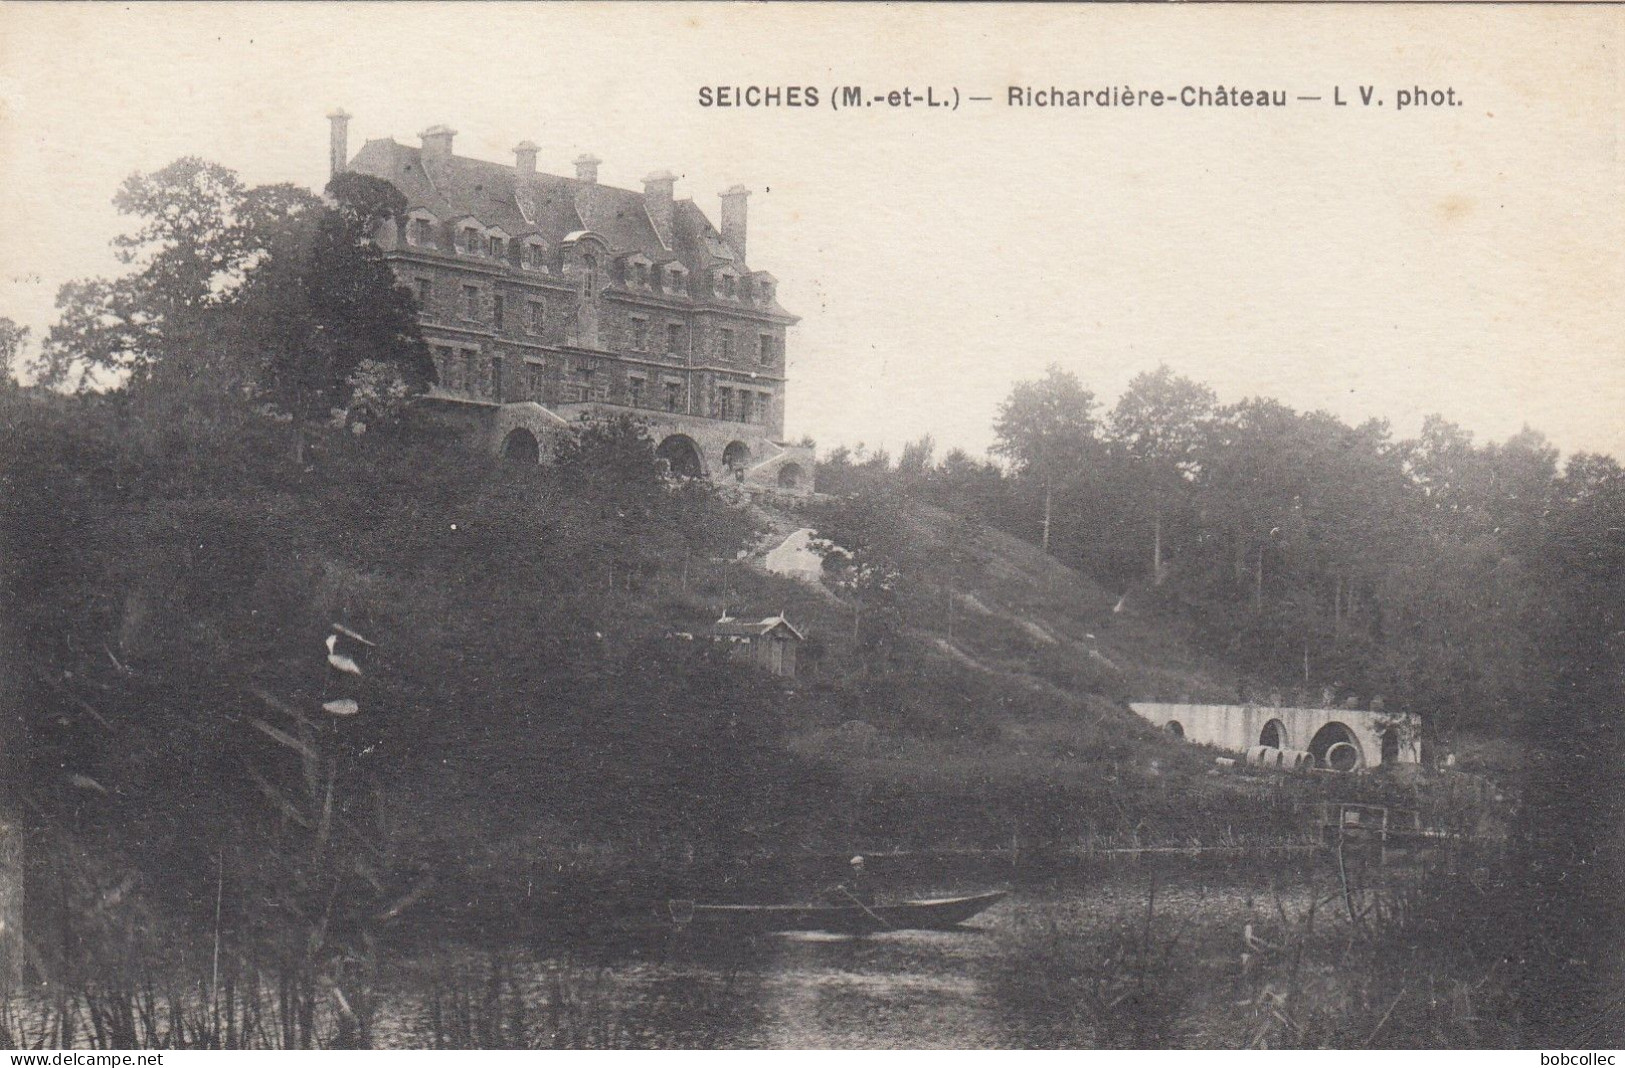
<point x="1049" y="430"/>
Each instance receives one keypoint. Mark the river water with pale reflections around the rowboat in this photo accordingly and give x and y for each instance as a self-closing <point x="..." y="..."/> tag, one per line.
<point x="1072" y="934"/>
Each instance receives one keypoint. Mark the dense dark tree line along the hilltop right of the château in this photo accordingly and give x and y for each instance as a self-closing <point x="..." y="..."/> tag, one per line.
<point x="1314" y="554"/>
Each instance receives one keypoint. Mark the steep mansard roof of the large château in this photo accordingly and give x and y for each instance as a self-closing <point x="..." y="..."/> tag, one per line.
<point x="558" y="207"/>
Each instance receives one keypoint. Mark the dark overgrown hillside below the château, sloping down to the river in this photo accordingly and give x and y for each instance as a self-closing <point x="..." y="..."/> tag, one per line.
<point x="532" y="713"/>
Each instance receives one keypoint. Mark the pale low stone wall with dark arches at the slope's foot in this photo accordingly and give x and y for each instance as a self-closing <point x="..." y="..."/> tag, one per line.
<point x="1377" y="737"/>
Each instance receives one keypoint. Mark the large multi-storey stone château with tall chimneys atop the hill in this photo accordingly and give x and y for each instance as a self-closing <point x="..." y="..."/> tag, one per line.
<point x="545" y="298"/>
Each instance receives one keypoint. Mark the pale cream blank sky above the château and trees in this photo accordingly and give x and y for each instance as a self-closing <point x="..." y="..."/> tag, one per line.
<point x="1374" y="263"/>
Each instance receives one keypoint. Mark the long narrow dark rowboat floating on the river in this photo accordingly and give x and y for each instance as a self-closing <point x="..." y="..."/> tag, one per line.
<point x="932" y="914"/>
